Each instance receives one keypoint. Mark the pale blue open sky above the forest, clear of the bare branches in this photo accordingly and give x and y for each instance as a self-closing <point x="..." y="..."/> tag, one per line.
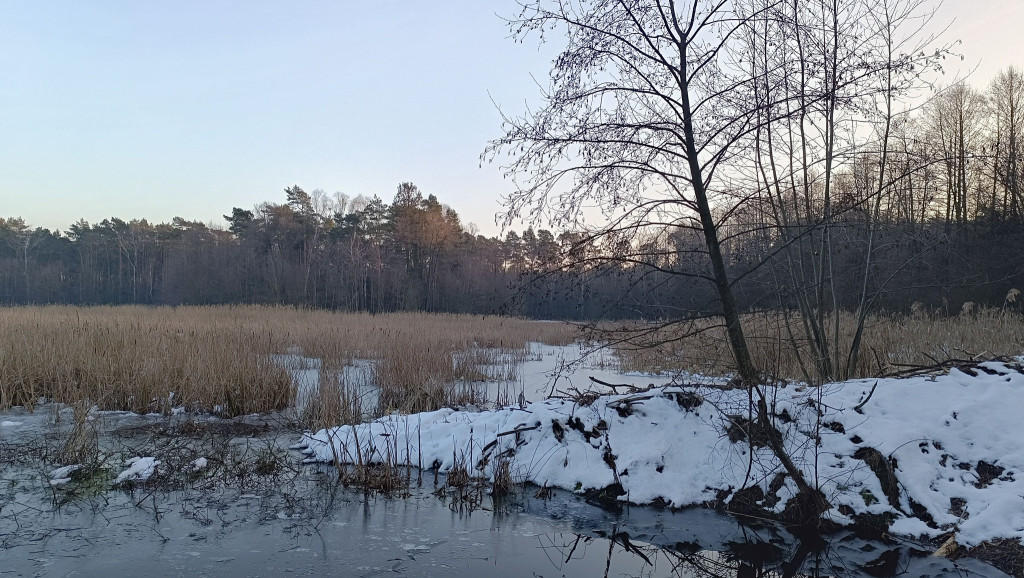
<point x="158" y="109"/>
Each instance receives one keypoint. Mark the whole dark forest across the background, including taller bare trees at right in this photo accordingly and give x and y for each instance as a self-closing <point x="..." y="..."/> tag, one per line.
<point x="948" y="229"/>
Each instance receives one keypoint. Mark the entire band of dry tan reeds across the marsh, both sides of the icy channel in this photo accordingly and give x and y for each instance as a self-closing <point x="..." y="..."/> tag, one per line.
<point x="223" y="358"/>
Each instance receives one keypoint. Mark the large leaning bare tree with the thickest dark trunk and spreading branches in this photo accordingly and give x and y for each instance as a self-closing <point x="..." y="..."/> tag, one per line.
<point x="646" y="109"/>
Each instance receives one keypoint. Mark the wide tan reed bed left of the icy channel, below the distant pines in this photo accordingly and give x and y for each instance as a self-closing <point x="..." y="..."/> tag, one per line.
<point x="222" y="358"/>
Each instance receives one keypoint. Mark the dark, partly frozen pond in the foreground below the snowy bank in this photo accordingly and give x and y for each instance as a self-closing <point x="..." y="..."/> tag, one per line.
<point x="257" y="511"/>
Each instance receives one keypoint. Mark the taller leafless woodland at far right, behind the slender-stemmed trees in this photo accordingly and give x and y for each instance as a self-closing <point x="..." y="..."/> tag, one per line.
<point x="928" y="212"/>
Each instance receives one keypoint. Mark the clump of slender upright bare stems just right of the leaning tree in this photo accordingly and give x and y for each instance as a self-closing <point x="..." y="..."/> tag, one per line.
<point x="830" y="75"/>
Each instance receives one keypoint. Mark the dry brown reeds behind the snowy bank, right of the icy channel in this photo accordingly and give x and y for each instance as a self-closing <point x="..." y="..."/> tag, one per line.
<point x="890" y="343"/>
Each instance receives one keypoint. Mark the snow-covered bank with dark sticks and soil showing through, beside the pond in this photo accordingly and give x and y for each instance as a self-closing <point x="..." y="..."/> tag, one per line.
<point x="936" y="432"/>
